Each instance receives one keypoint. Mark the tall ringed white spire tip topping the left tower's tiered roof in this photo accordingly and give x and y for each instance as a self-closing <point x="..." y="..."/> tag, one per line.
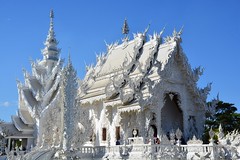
<point x="51" y="52"/>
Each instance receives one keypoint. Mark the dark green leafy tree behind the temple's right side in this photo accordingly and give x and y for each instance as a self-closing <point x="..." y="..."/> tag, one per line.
<point x="225" y="114"/>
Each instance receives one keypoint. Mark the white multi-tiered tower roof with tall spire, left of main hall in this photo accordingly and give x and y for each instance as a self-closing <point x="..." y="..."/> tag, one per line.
<point x="40" y="88"/>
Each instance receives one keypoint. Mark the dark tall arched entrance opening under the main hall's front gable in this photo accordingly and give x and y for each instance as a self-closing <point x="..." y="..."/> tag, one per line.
<point x="172" y="116"/>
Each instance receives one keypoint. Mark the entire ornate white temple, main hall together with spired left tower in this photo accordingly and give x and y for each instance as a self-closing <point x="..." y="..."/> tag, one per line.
<point x="137" y="92"/>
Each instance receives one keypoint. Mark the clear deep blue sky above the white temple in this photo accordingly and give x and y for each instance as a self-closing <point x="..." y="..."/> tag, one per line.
<point x="211" y="37"/>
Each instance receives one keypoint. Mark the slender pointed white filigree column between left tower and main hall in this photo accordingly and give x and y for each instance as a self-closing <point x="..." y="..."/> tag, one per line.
<point x="69" y="88"/>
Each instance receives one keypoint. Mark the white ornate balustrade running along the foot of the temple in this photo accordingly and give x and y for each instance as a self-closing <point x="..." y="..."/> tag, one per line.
<point x="148" y="151"/>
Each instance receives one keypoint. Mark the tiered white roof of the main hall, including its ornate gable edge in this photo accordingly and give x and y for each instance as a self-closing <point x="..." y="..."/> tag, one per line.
<point x="127" y="66"/>
